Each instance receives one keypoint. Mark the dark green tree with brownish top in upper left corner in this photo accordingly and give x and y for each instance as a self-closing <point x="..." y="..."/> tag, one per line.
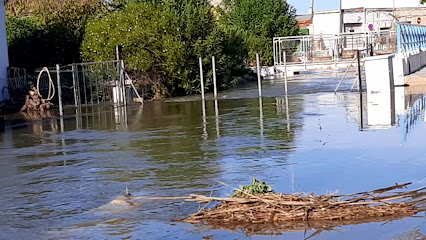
<point x="46" y="32"/>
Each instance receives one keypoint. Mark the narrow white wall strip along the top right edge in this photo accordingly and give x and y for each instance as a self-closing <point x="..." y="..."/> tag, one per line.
<point x="348" y="4"/>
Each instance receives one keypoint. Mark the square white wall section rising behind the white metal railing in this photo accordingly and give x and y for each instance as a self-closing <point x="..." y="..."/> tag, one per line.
<point x="326" y="22"/>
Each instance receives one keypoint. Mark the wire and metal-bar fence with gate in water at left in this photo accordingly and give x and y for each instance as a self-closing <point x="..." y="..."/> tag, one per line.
<point x="80" y="83"/>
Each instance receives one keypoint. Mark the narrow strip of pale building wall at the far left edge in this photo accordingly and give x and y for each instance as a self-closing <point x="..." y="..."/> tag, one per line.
<point x="4" y="59"/>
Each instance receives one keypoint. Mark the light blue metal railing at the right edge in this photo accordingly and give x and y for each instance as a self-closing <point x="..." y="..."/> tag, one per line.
<point x="410" y="37"/>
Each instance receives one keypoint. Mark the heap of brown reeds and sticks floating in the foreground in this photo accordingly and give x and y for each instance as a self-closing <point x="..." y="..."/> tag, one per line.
<point x="272" y="212"/>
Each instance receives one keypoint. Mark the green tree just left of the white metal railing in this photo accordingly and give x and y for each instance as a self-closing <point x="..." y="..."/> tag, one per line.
<point x="257" y="22"/>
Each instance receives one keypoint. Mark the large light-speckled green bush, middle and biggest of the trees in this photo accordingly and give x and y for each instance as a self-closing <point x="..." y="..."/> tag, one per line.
<point x="165" y="39"/>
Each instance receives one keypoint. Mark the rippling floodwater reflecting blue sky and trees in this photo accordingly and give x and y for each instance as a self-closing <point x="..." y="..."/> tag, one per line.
<point x="57" y="177"/>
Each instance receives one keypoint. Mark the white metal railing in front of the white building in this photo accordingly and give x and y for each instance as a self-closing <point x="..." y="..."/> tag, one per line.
<point x="323" y="48"/>
